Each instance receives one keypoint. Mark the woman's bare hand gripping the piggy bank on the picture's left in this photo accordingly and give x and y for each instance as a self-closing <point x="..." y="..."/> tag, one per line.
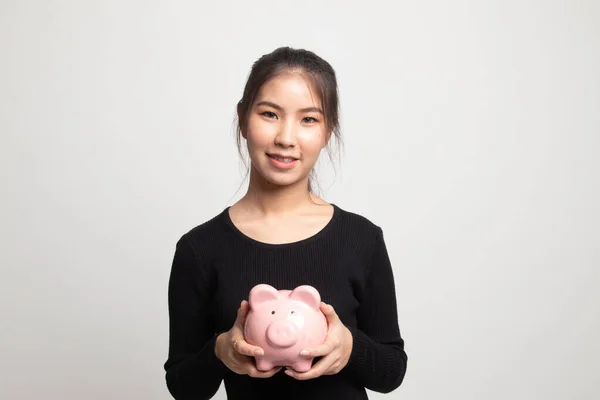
<point x="236" y="353"/>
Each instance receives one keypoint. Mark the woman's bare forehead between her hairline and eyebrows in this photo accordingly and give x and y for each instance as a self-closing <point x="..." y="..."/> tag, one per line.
<point x="291" y="89"/>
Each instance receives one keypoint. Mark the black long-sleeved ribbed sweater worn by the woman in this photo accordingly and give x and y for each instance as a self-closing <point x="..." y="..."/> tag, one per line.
<point x="214" y="267"/>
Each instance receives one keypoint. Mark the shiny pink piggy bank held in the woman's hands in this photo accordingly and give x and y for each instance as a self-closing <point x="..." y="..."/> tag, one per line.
<point x="283" y="323"/>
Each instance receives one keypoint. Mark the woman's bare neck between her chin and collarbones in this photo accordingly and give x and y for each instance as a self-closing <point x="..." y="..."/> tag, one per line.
<point x="268" y="198"/>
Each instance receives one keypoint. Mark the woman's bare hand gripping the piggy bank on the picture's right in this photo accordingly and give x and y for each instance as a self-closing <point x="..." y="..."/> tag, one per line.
<point x="335" y="350"/>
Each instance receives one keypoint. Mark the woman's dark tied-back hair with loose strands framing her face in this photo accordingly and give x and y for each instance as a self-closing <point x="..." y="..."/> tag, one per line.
<point x="318" y="71"/>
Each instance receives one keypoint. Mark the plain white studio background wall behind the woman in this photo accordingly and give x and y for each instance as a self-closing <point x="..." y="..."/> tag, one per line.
<point x="471" y="135"/>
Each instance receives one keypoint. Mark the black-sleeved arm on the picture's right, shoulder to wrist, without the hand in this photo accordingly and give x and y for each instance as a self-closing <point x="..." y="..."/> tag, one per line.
<point x="378" y="359"/>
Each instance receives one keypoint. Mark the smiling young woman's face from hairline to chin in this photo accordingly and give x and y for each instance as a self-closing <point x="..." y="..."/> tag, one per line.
<point x="286" y="130"/>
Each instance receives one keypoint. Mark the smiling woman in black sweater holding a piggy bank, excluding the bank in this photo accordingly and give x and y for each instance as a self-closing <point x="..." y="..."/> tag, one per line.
<point x="282" y="234"/>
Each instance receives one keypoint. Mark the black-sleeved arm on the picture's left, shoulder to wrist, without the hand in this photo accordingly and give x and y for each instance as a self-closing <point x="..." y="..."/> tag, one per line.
<point x="192" y="368"/>
